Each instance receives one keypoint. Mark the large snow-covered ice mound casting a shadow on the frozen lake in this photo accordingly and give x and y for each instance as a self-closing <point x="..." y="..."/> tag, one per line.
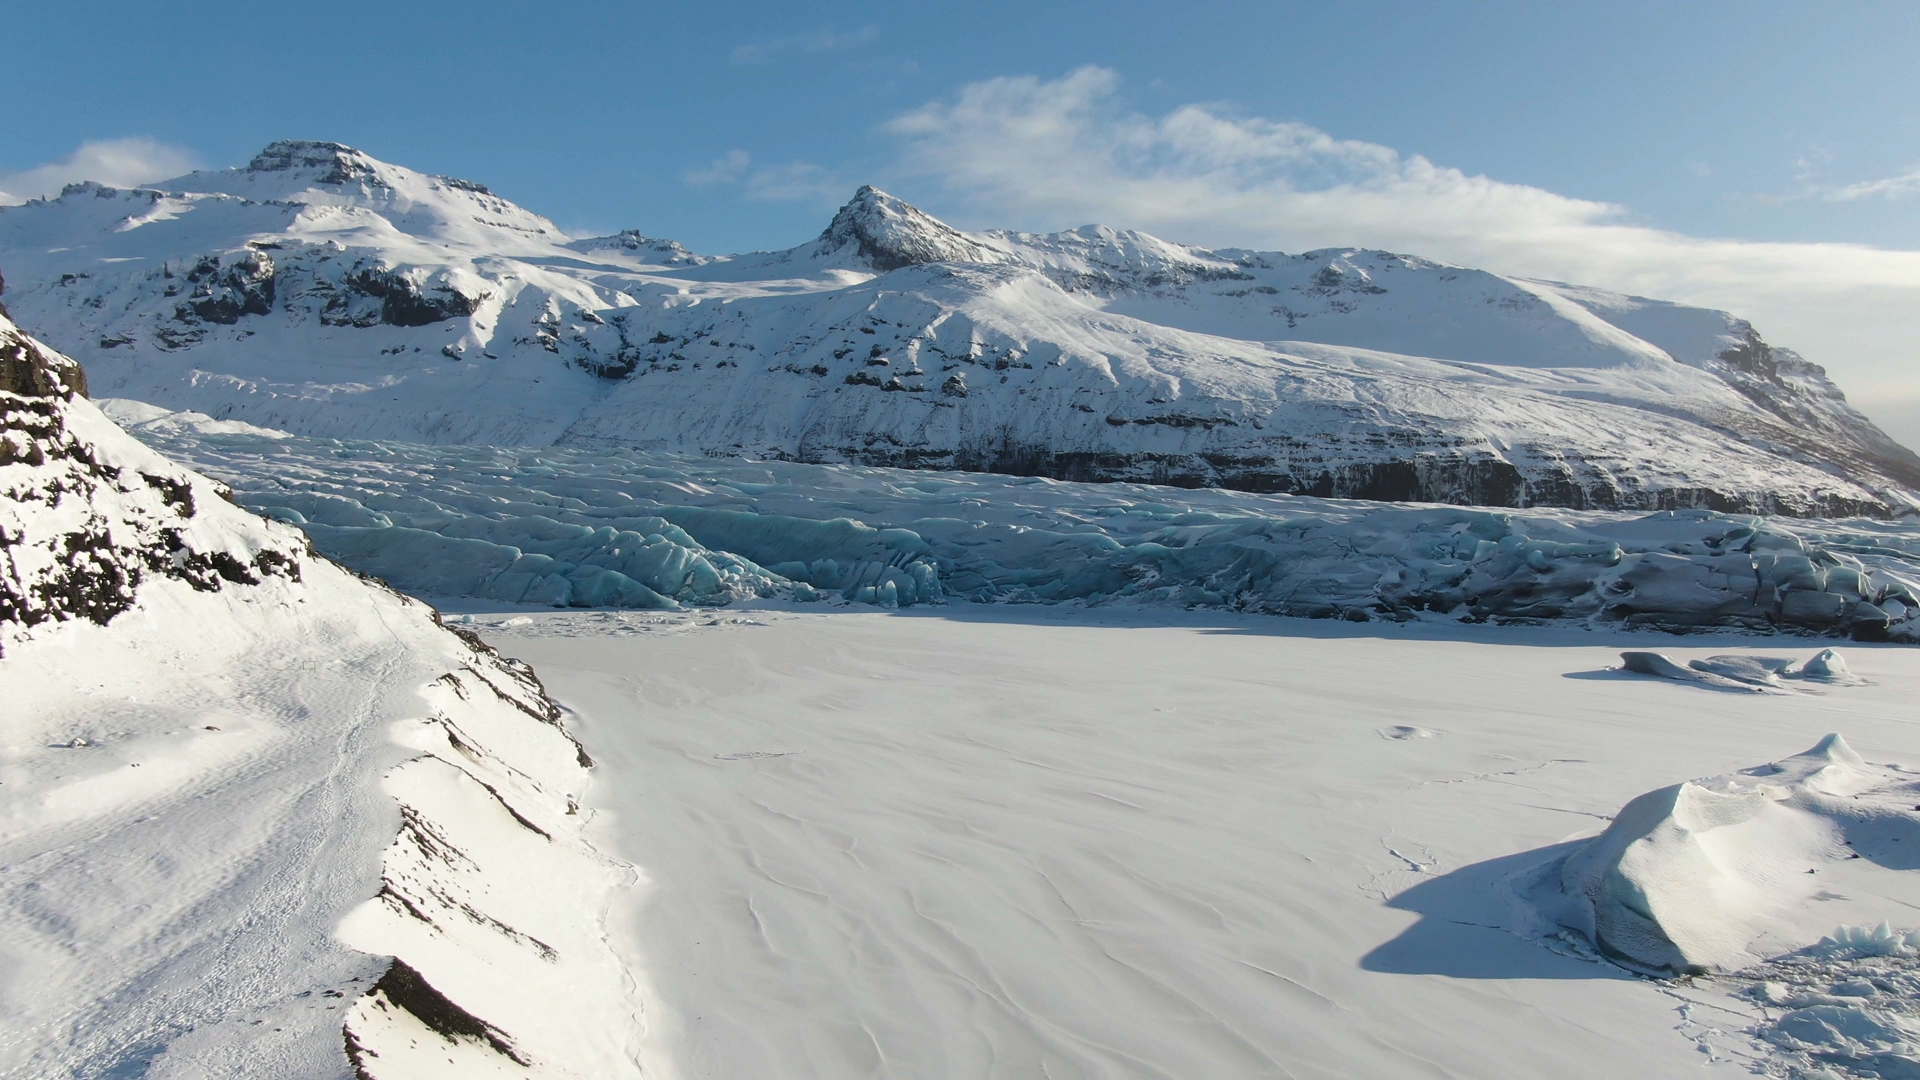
<point x="1723" y="873"/>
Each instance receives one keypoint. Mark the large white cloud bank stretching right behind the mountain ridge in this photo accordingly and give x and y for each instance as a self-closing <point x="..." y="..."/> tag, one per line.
<point x="1061" y="153"/>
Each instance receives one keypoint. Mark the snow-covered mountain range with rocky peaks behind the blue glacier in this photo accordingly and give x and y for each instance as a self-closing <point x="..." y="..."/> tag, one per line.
<point x="325" y="293"/>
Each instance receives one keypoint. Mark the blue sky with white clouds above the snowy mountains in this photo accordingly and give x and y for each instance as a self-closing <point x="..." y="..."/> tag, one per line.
<point x="1754" y="157"/>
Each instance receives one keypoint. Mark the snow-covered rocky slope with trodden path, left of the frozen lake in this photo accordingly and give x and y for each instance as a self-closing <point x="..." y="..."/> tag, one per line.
<point x="266" y="818"/>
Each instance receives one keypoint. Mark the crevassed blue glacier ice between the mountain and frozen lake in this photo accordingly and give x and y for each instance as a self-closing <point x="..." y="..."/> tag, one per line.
<point x="623" y="529"/>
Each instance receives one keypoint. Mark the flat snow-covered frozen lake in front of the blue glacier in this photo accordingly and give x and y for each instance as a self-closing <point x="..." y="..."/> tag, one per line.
<point x="1047" y="843"/>
